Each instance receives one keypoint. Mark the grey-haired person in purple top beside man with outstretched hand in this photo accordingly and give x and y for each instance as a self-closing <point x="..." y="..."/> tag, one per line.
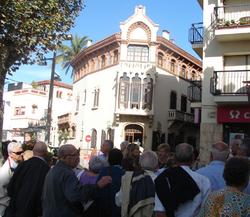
<point x="90" y="176"/>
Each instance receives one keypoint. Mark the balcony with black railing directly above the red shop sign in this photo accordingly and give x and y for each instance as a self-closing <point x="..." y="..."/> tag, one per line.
<point x="230" y="85"/>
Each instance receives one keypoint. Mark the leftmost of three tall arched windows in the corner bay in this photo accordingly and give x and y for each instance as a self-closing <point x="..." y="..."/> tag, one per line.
<point x="124" y="91"/>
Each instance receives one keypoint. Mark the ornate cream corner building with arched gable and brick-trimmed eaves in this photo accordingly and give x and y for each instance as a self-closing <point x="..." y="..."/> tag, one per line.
<point x="133" y="86"/>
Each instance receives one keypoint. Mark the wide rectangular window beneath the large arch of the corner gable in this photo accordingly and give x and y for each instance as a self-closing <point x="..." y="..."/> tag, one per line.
<point x="138" y="53"/>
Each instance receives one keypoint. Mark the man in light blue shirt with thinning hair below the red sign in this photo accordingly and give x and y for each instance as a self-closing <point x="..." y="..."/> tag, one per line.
<point x="214" y="170"/>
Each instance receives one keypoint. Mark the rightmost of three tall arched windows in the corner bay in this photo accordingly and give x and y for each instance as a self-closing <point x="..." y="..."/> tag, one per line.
<point x="147" y="92"/>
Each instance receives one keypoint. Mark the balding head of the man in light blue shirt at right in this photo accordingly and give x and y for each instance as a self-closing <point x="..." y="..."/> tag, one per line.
<point x="220" y="151"/>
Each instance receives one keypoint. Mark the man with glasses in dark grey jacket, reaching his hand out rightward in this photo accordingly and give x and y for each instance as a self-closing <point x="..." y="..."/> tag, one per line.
<point x="63" y="195"/>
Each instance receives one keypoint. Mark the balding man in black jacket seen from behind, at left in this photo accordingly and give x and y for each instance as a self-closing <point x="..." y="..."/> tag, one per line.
<point x="25" y="187"/>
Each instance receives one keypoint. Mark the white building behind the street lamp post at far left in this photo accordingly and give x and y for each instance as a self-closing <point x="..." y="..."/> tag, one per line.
<point x="25" y="110"/>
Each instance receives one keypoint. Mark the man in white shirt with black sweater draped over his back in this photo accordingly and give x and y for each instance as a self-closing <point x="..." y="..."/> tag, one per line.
<point x="179" y="190"/>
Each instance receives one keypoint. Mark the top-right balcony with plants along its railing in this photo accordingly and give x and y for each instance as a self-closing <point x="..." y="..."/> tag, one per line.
<point x="232" y="22"/>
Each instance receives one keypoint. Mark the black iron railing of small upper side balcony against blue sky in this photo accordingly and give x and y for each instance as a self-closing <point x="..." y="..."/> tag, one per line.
<point x="196" y="33"/>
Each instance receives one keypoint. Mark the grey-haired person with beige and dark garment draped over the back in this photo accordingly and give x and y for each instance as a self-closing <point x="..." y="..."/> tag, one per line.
<point x="137" y="194"/>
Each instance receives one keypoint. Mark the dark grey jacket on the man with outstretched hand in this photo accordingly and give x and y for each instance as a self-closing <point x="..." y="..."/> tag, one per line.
<point x="63" y="195"/>
